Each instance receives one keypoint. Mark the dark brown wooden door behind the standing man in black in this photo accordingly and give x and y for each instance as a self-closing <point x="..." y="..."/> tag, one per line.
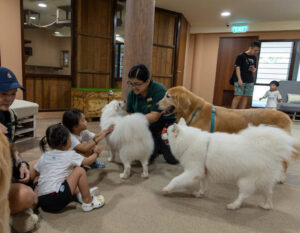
<point x="229" y="49"/>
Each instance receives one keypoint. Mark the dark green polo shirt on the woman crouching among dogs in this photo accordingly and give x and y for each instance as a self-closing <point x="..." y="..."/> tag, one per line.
<point x="145" y="105"/>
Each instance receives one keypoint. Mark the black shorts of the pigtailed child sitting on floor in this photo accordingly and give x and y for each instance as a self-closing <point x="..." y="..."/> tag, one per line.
<point x="54" y="202"/>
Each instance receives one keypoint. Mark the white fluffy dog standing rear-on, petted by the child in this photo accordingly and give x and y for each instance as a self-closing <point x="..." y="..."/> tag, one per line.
<point x="131" y="138"/>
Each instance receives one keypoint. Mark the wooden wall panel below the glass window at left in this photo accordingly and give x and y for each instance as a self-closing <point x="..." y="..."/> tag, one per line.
<point x="51" y="92"/>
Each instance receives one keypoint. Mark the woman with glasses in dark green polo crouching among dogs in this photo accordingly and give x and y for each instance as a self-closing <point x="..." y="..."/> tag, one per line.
<point x="143" y="98"/>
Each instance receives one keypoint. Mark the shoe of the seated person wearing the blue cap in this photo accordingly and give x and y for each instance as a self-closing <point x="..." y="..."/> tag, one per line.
<point x="25" y="221"/>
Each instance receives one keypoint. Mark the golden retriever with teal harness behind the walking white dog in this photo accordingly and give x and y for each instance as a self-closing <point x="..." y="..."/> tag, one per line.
<point x="183" y="103"/>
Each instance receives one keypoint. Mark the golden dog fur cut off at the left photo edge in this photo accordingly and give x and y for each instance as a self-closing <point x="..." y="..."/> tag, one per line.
<point x="5" y="181"/>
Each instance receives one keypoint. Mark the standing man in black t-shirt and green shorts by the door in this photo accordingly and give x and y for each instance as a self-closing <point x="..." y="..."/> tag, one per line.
<point x="245" y="66"/>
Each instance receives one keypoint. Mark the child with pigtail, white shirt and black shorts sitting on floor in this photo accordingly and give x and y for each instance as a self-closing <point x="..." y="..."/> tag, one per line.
<point x="61" y="174"/>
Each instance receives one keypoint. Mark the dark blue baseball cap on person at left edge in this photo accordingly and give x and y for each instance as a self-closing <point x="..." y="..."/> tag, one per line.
<point x="8" y="80"/>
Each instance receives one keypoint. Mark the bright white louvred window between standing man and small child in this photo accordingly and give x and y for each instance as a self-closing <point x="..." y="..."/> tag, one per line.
<point x="274" y="64"/>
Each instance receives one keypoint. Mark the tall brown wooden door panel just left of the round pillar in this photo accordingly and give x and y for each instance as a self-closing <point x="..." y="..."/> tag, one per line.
<point x="94" y="38"/>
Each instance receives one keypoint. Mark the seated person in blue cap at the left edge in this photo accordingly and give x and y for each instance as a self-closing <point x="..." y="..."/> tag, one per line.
<point x="22" y="198"/>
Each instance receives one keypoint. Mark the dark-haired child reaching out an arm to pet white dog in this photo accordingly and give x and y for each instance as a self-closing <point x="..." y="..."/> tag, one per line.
<point x="82" y="140"/>
